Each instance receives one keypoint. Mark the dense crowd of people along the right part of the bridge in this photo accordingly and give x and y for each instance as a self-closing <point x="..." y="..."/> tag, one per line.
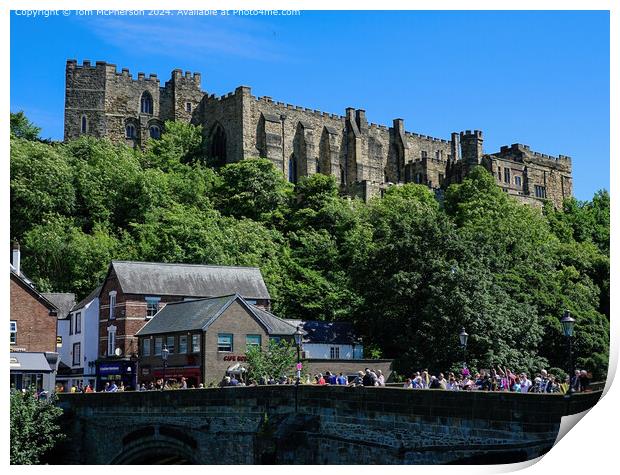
<point x="498" y="379"/>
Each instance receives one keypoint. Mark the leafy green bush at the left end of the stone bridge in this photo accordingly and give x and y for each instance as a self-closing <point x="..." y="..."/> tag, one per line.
<point x="34" y="428"/>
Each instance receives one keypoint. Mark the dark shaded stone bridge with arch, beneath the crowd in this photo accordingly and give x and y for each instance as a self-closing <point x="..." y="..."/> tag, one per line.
<point x="332" y="425"/>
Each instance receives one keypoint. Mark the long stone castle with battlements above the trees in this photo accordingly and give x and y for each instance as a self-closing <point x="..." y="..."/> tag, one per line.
<point x="364" y="158"/>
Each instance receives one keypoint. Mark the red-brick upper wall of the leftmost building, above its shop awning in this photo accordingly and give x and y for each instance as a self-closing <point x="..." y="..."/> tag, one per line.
<point x="36" y="329"/>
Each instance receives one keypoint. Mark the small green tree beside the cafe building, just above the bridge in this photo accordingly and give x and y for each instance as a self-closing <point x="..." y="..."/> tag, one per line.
<point x="277" y="360"/>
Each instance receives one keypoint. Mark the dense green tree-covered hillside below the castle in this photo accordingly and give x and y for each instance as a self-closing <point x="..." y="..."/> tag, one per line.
<point x="408" y="270"/>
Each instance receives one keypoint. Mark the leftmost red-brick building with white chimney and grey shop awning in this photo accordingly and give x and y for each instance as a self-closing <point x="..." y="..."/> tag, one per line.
<point x="33" y="331"/>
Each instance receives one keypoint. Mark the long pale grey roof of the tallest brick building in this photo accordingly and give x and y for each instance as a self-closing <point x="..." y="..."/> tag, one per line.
<point x="191" y="280"/>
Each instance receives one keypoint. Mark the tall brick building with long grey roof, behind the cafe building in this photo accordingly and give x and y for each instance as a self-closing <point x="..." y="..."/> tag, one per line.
<point x="133" y="292"/>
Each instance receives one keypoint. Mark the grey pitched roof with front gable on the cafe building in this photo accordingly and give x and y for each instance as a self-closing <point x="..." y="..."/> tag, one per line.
<point x="199" y="314"/>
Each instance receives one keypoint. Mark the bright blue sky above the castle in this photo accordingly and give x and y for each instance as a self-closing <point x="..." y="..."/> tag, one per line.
<point x="538" y="78"/>
